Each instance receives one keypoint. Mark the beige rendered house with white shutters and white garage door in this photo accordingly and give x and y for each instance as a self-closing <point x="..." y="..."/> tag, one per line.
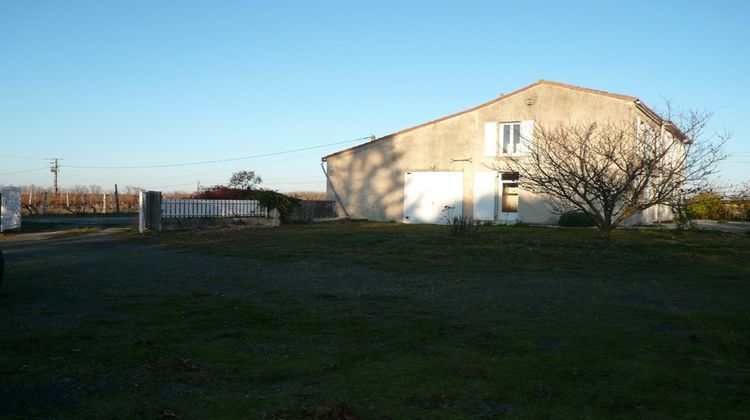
<point x="412" y="175"/>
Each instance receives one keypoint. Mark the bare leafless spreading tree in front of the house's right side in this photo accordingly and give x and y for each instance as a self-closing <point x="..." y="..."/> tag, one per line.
<point x="613" y="171"/>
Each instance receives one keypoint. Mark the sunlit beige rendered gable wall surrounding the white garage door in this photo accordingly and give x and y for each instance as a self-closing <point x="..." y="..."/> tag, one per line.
<point x="369" y="180"/>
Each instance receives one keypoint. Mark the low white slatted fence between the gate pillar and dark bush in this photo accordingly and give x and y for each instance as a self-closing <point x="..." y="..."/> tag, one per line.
<point x="212" y="208"/>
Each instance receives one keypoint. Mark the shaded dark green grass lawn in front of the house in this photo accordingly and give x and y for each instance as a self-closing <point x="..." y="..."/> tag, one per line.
<point x="382" y="320"/>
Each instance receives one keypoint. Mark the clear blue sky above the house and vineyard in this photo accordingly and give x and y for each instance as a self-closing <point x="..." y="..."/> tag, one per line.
<point x="138" y="83"/>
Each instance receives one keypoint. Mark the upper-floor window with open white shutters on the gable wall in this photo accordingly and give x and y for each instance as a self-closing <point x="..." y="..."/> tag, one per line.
<point x="508" y="138"/>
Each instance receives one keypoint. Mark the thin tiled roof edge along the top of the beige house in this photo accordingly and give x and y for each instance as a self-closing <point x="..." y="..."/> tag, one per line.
<point x="626" y="98"/>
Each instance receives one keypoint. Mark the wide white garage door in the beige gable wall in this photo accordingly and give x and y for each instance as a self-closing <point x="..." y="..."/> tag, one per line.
<point x="426" y="194"/>
